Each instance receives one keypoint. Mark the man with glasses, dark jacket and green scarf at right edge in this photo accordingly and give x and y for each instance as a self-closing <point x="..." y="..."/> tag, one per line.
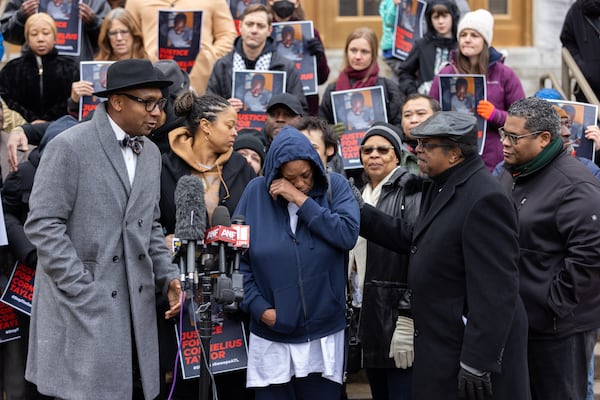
<point x="558" y="202"/>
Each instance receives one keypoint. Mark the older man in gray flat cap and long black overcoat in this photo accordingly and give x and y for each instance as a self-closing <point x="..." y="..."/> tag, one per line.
<point x="470" y="327"/>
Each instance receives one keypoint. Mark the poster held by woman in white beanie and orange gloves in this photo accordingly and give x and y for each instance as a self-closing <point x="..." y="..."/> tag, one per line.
<point x="462" y="93"/>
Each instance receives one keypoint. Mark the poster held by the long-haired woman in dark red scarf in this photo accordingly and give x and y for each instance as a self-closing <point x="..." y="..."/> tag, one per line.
<point x="357" y="109"/>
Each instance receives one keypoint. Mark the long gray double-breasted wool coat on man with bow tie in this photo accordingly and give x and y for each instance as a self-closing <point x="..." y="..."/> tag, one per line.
<point x="101" y="253"/>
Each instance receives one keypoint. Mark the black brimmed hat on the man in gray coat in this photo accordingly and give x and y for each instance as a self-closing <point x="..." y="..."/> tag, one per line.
<point x="132" y="74"/>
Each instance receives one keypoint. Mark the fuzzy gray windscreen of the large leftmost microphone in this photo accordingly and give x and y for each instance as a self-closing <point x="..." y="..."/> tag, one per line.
<point x="190" y="210"/>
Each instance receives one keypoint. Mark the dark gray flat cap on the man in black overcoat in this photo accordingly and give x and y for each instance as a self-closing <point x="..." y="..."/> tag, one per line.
<point x="456" y="126"/>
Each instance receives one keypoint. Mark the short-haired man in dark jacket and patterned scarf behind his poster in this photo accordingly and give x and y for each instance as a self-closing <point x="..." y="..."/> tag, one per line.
<point x="253" y="50"/>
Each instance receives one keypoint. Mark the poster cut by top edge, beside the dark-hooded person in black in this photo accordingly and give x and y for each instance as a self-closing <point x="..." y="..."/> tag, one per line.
<point x="408" y="27"/>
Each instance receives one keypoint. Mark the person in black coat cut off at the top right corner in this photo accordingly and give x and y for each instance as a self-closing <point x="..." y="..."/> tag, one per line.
<point x="581" y="36"/>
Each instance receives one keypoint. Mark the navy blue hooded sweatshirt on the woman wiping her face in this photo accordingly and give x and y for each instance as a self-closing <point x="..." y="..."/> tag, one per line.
<point x="301" y="275"/>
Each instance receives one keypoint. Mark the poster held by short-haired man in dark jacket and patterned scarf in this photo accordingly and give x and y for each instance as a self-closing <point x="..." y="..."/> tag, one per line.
<point x="255" y="89"/>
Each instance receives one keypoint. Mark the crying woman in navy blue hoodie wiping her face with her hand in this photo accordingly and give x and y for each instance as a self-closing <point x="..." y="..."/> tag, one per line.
<point x="302" y="224"/>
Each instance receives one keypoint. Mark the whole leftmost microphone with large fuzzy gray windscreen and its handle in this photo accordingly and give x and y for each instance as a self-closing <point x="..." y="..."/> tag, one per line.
<point x="190" y="220"/>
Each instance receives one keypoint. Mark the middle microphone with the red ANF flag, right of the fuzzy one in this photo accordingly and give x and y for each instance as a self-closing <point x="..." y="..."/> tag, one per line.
<point x="222" y="234"/>
